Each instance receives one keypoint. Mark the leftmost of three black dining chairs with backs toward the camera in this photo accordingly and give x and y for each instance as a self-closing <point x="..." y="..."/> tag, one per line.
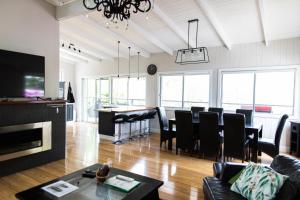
<point x="185" y="137"/>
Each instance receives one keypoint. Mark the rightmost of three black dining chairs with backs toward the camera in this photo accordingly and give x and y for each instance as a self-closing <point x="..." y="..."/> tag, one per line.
<point x="236" y="144"/>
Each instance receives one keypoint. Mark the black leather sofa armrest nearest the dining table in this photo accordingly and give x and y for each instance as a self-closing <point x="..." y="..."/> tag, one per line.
<point x="230" y="169"/>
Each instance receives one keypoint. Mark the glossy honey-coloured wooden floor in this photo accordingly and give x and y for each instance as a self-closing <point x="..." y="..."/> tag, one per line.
<point x="182" y="174"/>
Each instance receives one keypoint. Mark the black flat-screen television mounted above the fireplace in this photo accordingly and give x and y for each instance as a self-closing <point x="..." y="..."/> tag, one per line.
<point x="21" y="75"/>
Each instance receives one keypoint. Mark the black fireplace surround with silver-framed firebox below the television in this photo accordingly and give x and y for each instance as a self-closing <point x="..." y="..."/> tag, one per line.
<point x="14" y="114"/>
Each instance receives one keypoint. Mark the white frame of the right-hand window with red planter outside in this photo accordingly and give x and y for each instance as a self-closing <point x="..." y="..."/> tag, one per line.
<point x="288" y="68"/>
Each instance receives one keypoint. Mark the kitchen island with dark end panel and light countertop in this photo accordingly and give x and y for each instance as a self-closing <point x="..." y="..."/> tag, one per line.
<point x="107" y="126"/>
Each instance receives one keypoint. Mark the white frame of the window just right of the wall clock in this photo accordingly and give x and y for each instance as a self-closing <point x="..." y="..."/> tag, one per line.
<point x="183" y="74"/>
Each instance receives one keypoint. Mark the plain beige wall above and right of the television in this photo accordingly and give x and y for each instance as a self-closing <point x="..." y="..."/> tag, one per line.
<point x="29" y="26"/>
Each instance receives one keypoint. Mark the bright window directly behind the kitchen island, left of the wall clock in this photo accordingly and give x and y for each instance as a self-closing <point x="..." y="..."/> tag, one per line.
<point x="129" y="91"/>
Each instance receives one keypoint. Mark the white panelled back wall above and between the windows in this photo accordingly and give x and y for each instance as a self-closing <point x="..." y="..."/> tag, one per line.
<point x="281" y="52"/>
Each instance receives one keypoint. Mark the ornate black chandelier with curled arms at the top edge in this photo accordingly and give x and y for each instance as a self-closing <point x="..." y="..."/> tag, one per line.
<point x="118" y="9"/>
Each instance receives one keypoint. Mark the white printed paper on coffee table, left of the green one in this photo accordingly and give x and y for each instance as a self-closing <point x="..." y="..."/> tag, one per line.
<point x="65" y="187"/>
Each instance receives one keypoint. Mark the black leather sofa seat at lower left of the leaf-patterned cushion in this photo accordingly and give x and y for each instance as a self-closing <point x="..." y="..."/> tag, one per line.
<point x="214" y="188"/>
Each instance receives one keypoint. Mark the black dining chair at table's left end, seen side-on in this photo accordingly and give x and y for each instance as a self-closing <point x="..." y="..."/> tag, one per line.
<point x="165" y="134"/>
